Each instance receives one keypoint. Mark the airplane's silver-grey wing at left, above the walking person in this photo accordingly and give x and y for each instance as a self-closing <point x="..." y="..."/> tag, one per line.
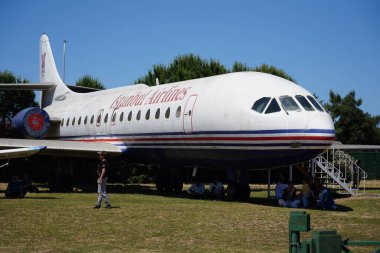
<point x="62" y="148"/>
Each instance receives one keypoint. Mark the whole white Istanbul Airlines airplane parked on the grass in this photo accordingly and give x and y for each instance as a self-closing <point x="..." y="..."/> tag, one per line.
<point x="232" y="121"/>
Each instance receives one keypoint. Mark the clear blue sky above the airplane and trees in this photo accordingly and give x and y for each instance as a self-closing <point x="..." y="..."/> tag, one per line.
<point x="323" y="44"/>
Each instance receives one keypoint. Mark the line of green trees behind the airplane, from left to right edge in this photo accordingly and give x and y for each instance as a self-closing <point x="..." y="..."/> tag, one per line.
<point x="352" y="124"/>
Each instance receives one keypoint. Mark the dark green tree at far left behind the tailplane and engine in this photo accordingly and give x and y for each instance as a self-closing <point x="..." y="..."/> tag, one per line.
<point x="11" y="102"/>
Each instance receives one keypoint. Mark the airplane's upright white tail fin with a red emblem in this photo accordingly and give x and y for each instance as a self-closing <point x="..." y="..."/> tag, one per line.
<point x="49" y="74"/>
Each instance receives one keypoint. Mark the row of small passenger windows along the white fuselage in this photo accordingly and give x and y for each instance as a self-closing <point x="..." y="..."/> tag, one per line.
<point x="99" y="119"/>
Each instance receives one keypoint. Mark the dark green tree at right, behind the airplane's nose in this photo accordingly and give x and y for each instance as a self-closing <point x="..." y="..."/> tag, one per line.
<point x="353" y="126"/>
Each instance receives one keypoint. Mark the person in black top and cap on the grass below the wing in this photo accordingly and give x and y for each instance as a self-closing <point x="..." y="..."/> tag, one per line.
<point x="102" y="181"/>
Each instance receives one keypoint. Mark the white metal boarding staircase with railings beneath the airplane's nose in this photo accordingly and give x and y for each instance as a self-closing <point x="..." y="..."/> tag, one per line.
<point x="339" y="170"/>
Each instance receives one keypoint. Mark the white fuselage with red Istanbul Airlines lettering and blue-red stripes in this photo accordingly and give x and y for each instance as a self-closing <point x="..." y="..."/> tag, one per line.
<point x="208" y="120"/>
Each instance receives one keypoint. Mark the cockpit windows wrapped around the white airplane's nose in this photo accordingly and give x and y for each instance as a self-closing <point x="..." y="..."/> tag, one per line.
<point x="270" y="105"/>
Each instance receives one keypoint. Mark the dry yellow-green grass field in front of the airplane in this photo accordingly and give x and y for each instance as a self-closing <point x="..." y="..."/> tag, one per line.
<point x="142" y="221"/>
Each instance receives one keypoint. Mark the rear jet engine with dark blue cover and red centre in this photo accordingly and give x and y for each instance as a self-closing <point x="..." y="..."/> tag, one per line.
<point x="30" y="123"/>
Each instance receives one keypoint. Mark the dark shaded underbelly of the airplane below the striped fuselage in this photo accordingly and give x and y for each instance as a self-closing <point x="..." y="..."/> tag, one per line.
<point x="228" y="158"/>
